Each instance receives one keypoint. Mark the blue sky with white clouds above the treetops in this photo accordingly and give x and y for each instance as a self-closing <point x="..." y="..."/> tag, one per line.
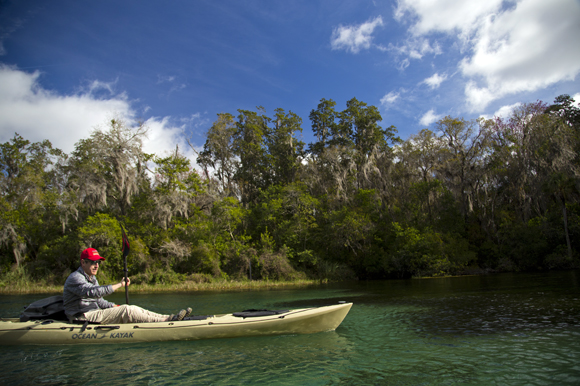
<point x="67" y="67"/>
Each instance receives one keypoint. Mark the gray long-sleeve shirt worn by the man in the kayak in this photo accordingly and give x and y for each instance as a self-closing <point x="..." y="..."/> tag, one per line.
<point x="82" y="293"/>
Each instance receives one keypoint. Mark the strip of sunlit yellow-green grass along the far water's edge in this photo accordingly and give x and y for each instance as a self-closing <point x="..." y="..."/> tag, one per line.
<point x="40" y="288"/>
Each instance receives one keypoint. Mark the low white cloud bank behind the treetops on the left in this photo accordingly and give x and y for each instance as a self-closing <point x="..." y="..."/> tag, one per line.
<point x="38" y="114"/>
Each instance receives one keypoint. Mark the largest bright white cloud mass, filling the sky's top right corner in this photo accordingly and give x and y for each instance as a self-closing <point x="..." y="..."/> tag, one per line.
<point x="510" y="47"/>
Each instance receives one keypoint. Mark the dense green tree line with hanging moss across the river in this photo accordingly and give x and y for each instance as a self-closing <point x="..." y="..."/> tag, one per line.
<point x="470" y="196"/>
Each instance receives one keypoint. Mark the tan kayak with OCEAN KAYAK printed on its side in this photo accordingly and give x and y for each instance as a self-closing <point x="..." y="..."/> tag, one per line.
<point x="300" y="321"/>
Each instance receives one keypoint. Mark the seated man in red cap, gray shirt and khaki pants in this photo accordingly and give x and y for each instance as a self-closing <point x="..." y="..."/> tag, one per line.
<point x="83" y="297"/>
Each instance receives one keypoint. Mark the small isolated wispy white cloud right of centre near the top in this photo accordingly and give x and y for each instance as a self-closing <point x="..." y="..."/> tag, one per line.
<point x="354" y="38"/>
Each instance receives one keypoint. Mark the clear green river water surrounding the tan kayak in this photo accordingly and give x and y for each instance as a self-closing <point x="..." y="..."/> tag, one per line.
<point x="505" y="329"/>
